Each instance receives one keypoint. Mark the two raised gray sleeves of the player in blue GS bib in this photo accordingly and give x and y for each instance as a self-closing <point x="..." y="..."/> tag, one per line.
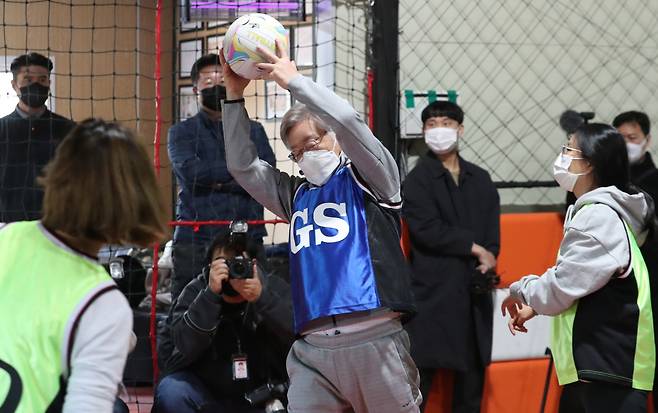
<point x="275" y="189"/>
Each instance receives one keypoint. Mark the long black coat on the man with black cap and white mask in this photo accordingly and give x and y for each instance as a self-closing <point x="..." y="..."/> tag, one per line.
<point x="453" y="328"/>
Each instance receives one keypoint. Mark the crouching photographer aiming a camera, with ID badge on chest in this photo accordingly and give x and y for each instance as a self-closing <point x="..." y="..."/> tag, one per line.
<point x="228" y="333"/>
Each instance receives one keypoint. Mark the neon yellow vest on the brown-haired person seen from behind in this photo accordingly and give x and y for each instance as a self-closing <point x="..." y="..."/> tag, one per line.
<point x="42" y="284"/>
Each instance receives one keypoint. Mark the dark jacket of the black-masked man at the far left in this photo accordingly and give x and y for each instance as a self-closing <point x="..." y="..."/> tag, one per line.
<point x="26" y="146"/>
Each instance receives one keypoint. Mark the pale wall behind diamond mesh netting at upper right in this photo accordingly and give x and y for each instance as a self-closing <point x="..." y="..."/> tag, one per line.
<point x="517" y="65"/>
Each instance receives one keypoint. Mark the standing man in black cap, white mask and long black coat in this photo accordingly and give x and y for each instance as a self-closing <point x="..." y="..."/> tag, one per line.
<point x="452" y="210"/>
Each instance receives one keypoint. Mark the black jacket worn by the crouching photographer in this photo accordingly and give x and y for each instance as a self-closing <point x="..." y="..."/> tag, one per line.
<point x="200" y="336"/>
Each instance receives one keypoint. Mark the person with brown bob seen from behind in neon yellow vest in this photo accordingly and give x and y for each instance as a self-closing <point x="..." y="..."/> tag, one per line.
<point x="64" y="326"/>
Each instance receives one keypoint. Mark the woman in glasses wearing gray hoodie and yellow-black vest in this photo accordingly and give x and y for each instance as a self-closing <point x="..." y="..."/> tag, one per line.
<point x="598" y="291"/>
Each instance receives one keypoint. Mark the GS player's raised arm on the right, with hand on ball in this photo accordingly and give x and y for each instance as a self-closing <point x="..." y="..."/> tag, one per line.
<point x="373" y="161"/>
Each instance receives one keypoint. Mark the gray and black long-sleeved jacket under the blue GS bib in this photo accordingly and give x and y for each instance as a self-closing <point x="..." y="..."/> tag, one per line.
<point x="375" y="171"/>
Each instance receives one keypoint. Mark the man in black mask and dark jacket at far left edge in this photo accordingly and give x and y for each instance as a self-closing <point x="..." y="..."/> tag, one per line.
<point x="28" y="138"/>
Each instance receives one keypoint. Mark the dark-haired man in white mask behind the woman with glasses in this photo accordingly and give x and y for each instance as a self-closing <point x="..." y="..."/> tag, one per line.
<point x="636" y="128"/>
